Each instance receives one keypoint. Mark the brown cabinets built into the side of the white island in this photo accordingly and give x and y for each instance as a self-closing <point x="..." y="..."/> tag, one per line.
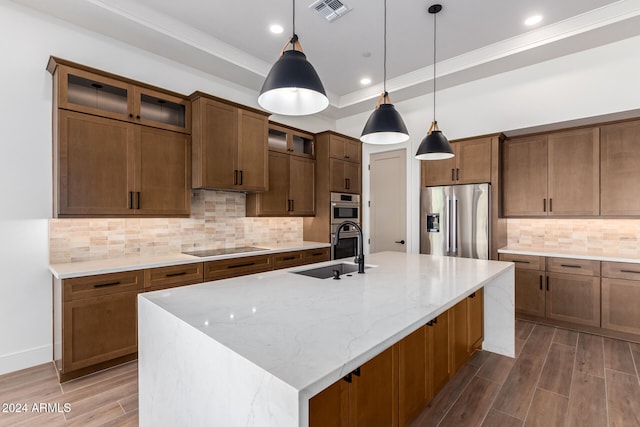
<point x="393" y="387"/>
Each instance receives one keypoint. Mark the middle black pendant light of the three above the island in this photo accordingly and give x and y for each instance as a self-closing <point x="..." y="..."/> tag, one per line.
<point x="385" y="126"/>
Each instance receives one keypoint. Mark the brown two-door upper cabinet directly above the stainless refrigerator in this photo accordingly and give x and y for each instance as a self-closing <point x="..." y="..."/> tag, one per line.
<point x="471" y="164"/>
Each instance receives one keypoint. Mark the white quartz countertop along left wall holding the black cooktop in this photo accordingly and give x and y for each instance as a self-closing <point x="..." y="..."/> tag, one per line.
<point x="138" y="262"/>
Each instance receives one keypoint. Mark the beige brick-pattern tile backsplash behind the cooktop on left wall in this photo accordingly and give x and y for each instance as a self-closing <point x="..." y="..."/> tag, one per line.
<point x="217" y="221"/>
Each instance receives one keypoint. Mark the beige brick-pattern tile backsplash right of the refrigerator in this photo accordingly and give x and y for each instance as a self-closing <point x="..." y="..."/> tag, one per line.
<point x="616" y="236"/>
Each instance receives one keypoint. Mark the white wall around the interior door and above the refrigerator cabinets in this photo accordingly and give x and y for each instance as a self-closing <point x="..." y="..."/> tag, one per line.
<point x="596" y="82"/>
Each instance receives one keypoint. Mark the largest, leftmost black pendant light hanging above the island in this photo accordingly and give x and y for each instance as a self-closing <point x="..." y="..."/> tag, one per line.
<point x="292" y="87"/>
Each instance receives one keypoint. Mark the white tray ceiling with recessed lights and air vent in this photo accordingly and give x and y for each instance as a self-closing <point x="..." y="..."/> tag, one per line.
<point x="475" y="39"/>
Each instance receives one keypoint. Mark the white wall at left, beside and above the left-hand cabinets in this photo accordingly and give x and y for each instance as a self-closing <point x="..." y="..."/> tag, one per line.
<point x="27" y="39"/>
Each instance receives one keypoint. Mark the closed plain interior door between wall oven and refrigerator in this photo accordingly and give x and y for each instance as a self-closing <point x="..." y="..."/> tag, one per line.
<point x="388" y="194"/>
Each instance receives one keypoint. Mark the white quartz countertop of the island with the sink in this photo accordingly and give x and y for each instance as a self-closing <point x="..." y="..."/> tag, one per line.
<point x="310" y="332"/>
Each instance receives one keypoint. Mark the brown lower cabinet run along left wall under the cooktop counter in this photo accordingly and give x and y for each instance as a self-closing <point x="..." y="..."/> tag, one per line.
<point x="95" y="317"/>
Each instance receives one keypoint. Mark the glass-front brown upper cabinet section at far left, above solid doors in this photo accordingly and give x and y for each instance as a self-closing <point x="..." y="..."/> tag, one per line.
<point x="91" y="91"/>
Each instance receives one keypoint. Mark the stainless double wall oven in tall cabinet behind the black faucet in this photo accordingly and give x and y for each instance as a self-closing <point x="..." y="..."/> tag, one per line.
<point x="344" y="207"/>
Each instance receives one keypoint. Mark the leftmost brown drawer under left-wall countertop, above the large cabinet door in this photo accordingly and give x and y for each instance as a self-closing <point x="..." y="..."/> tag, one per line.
<point x="102" y="284"/>
